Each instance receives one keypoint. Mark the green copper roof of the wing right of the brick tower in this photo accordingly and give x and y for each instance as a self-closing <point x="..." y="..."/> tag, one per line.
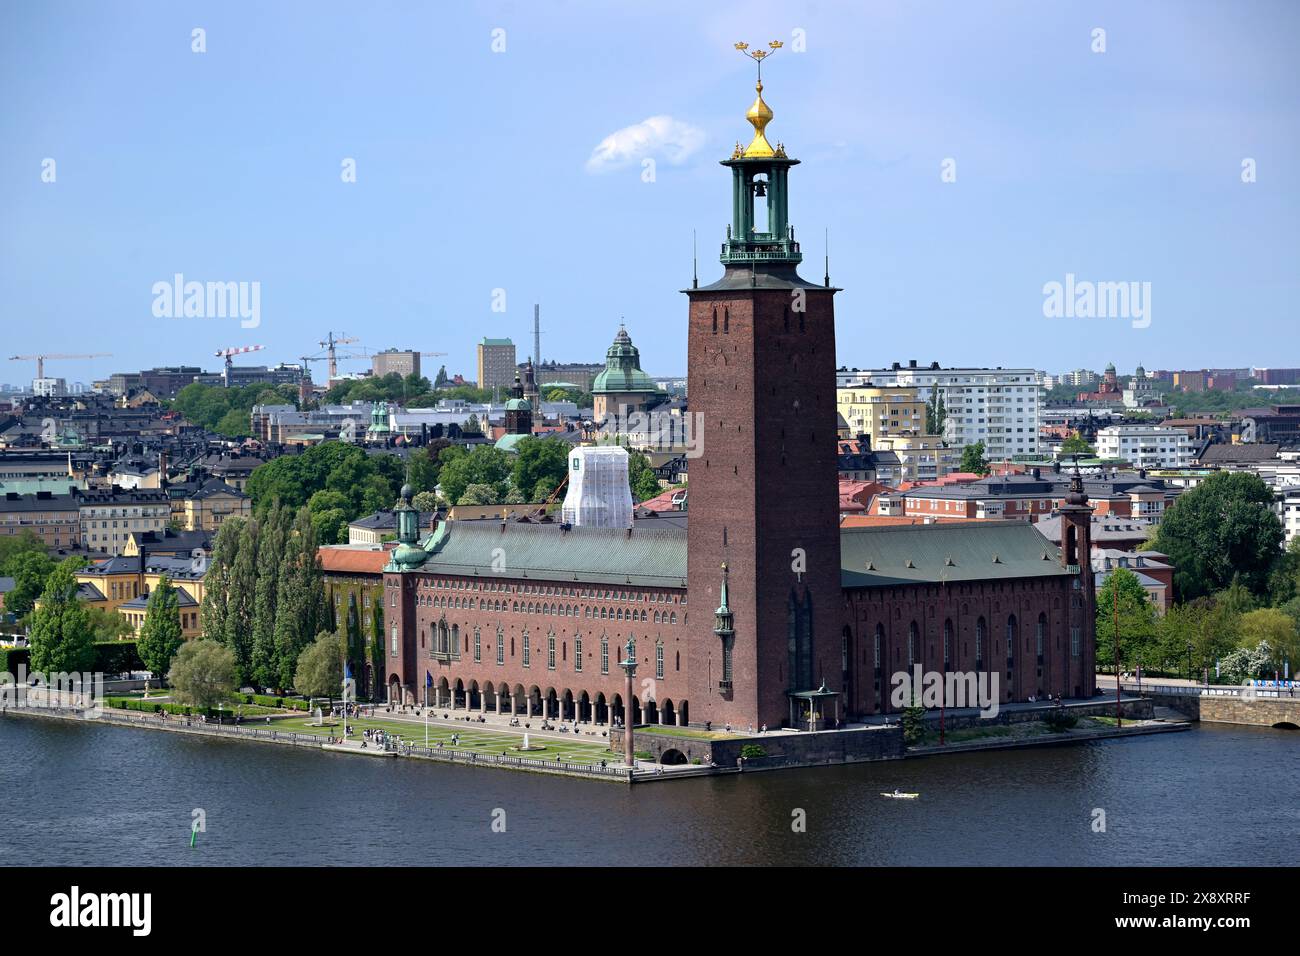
<point x="948" y="552"/>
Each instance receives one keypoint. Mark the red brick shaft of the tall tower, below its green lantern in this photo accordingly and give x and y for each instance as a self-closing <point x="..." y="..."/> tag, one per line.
<point x="765" y="486"/>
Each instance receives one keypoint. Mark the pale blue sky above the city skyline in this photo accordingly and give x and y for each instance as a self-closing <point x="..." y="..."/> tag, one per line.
<point x="475" y="172"/>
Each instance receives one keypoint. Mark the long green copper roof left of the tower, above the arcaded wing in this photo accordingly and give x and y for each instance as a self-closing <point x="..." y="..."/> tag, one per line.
<point x="548" y="553"/>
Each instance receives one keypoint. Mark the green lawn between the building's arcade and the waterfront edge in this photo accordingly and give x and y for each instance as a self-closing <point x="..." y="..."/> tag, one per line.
<point x="473" y="739"/>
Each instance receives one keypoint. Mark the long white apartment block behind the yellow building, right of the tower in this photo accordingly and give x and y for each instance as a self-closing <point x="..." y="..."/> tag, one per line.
<point x="998" y="406"/>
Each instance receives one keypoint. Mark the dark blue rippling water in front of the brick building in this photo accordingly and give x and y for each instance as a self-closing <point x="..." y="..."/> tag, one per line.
<point x="94" y="794"/>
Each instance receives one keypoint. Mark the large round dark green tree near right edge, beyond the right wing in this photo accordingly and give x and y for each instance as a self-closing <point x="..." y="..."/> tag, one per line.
<point x="1219" y="530"/>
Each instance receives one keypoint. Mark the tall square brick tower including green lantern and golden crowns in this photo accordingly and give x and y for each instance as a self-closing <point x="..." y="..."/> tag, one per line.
<point x="764" y="491"/>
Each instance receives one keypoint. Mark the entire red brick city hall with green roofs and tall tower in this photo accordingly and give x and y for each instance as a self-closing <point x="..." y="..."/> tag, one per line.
<point x="764" y="611"/>
